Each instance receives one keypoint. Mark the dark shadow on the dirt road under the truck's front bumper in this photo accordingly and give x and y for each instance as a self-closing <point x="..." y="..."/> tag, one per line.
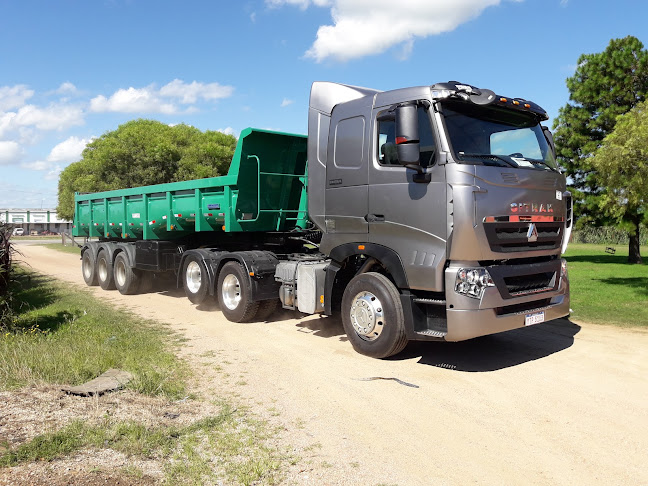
<point x="497" y="351"/>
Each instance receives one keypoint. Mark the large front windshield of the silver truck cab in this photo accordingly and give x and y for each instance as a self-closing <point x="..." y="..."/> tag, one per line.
<point x="496" y="136"/>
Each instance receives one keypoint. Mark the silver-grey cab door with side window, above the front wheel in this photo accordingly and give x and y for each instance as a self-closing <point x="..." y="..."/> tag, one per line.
<point x="406" y="216"/>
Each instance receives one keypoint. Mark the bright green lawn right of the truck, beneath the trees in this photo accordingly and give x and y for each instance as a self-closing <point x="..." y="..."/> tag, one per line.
<point x="605" y="289"/>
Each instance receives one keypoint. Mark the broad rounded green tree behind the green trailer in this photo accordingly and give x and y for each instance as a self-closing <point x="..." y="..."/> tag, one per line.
<point x="144" y="152"/>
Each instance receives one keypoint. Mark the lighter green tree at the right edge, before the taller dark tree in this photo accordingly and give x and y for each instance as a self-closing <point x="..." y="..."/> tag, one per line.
<point x="621" y="165"/>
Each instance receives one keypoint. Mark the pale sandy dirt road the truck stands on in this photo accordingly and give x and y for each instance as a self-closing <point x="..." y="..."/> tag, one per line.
<point x="558" y="403"/>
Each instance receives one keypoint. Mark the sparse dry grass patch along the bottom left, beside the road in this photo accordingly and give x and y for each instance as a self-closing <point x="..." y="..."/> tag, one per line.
<point x="229" y="445"/>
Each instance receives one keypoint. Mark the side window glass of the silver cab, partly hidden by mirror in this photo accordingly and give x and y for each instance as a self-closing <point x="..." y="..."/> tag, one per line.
<point x="387" y="154"/>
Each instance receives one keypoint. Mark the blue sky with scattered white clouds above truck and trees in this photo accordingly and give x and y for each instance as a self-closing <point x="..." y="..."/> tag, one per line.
<point x="72" y="70"/>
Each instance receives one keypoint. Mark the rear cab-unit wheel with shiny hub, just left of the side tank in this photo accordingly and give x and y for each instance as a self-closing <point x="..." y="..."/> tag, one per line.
<point x="234" y="294"/>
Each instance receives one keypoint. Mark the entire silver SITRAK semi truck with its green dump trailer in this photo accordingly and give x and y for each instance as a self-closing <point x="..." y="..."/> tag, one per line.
<point x="433" y="213"/>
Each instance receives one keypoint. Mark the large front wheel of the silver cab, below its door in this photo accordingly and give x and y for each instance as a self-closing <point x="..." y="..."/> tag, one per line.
<point x="372" y="315"/>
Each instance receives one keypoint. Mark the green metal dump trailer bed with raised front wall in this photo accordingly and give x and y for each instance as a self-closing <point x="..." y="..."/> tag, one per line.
<point x="264" y="190"/>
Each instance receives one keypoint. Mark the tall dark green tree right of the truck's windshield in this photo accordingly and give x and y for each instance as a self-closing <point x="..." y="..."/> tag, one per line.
<point x="604" y="86"/>
